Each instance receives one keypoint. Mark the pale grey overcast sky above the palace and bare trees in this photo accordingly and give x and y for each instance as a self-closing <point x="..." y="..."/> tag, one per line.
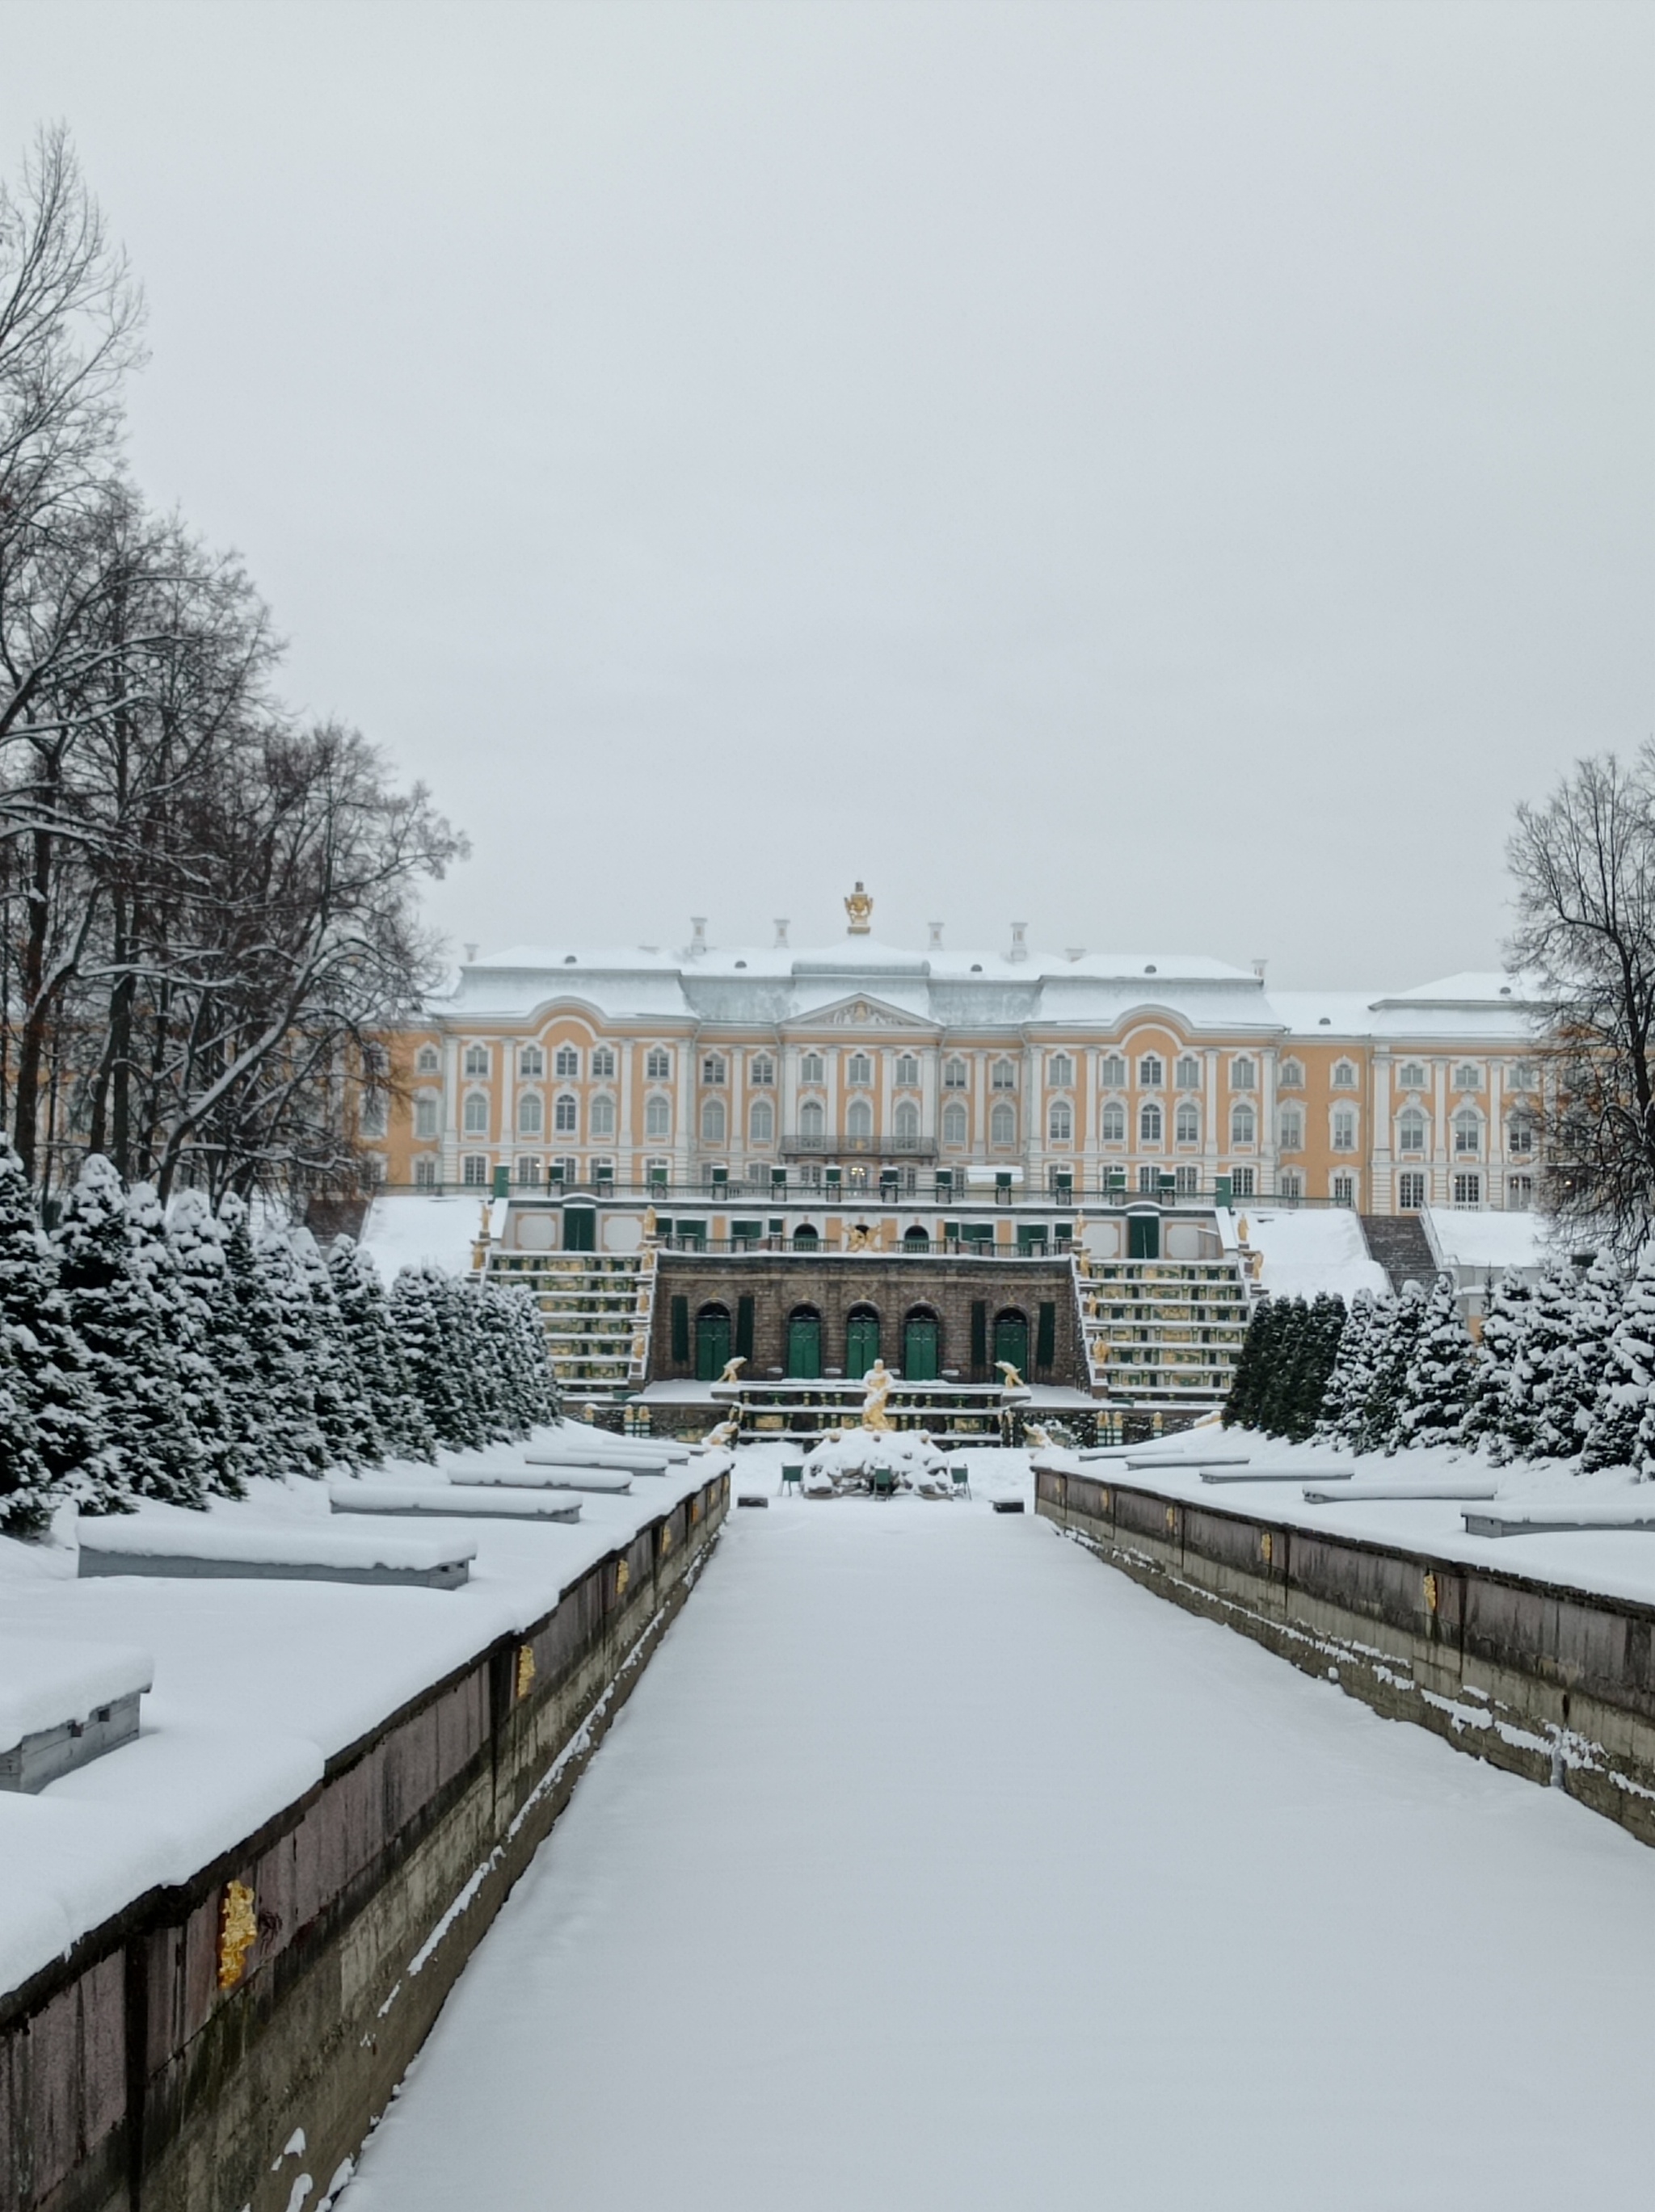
<point x="1167" y="474"/>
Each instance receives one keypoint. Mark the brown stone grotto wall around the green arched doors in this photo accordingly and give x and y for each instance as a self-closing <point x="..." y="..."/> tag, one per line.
<point x="780" y="1282"/>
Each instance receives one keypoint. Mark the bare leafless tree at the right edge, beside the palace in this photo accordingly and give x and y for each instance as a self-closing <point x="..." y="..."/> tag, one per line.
<point x="1585" y="881"/>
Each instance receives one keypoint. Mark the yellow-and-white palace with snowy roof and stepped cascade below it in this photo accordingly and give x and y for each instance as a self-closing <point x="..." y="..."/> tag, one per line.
<point x="959" y="1160"/>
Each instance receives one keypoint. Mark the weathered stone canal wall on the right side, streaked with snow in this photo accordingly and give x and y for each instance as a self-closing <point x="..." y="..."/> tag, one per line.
<point x="1543" y="1680"/>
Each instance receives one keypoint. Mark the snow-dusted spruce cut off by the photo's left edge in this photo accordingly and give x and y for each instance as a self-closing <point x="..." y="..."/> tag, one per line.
<point x="52" y="1375"/>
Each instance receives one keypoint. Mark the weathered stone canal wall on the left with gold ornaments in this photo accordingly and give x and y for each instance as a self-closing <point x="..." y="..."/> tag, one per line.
<point x="136" y="2076"/>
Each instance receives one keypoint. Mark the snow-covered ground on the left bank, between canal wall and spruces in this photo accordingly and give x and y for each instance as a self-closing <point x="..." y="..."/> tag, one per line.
<point x="258" y="1684"/>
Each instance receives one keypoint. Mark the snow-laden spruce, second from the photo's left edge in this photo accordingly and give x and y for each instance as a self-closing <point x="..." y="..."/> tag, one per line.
<point x="134" y="1366"/>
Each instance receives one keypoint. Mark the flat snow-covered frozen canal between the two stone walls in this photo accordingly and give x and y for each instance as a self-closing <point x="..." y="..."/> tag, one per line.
<point x="935" y="1866"/>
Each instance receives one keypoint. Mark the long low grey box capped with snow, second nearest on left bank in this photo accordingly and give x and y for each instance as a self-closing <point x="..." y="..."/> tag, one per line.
<point x="295" y="1552"/>
